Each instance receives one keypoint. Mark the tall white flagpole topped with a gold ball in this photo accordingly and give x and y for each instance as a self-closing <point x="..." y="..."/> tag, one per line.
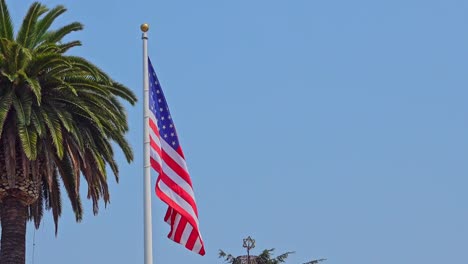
<point x="148" y="229"/>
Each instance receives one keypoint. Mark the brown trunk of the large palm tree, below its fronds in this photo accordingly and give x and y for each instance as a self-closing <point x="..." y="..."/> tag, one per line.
<point x="13" y="219"/>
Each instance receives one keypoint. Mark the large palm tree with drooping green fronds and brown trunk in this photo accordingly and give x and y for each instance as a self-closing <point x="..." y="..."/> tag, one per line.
<point x="59" y="116"/>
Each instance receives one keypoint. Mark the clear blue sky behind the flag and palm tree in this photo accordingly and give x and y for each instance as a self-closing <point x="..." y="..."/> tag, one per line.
<point x="337" y="129"/>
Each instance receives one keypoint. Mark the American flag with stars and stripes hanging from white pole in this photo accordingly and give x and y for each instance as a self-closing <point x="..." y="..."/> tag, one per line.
<point x="173" y="185"/>
